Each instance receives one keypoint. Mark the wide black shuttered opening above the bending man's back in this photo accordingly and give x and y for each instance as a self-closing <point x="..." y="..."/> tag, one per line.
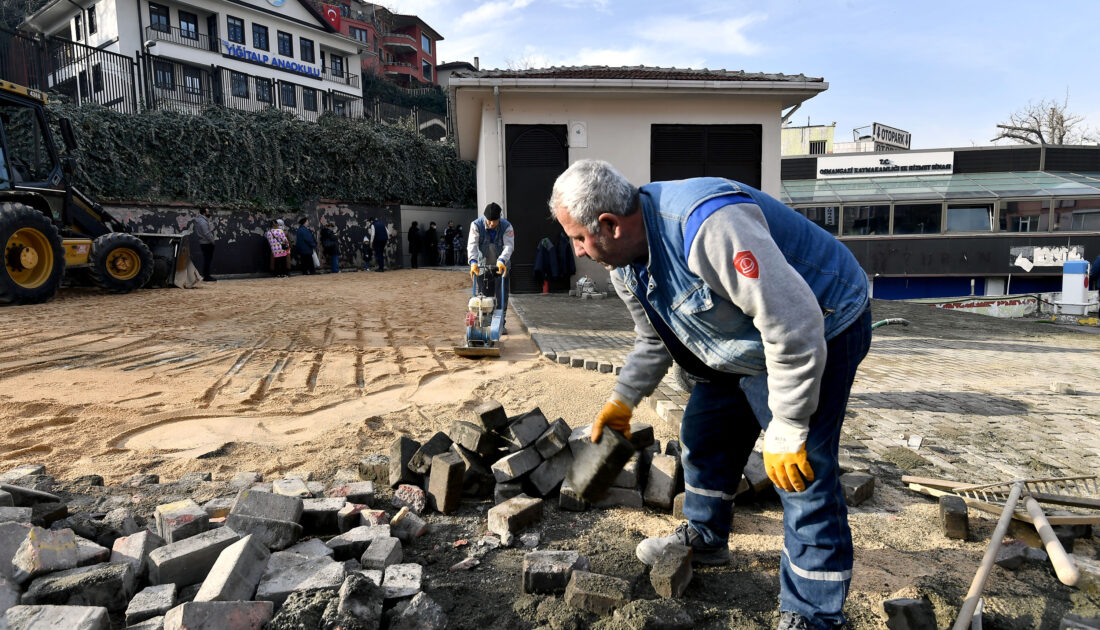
<point x="684" y="151"/>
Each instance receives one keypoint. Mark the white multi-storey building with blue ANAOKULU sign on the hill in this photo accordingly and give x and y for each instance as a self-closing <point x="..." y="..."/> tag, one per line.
<point x="245" y="54"/>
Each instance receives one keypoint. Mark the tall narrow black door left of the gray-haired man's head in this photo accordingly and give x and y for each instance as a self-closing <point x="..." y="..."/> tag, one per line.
<point x="536" y="156"/>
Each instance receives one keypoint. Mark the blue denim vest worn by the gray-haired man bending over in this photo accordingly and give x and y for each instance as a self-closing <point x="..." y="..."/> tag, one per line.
<point x="712" y="328"/>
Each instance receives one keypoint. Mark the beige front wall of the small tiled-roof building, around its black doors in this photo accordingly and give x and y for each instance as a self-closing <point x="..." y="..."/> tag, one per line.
<point x="619" y="129"/>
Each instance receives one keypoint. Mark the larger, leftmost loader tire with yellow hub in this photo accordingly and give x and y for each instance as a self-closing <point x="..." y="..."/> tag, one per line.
<point x="34" y="258"/>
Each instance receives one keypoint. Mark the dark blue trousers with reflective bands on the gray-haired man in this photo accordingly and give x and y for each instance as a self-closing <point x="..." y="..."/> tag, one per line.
<point x="719" y="430"/>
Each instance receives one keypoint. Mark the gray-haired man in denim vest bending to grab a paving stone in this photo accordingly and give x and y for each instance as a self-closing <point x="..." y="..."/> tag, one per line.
<point x="772" y="314"/>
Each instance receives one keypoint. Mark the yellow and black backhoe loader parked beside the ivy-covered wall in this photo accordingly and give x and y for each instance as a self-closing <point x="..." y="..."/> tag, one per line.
<point x="48" y="226"/>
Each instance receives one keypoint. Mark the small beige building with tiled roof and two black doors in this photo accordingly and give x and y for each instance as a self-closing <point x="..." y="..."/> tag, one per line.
<point x="526" y="127"/>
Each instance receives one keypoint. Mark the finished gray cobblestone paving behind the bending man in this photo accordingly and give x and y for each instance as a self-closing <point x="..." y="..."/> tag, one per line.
<point x="977" y="391"/>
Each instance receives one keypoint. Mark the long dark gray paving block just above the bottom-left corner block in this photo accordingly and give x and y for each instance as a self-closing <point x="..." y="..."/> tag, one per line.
<point x="107" y="585"/>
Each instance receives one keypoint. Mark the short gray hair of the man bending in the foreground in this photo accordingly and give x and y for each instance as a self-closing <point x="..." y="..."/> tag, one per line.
<point x="591" y="187"/>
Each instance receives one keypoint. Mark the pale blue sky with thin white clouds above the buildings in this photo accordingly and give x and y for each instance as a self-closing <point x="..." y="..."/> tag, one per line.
<point x="947" y="72"/>
